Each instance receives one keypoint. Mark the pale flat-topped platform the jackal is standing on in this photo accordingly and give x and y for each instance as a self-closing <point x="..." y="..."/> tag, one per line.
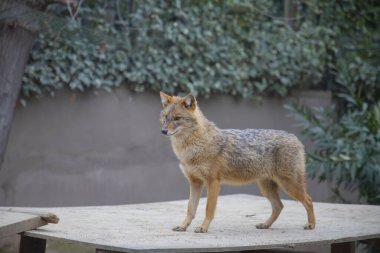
<point x="147" y="227"/>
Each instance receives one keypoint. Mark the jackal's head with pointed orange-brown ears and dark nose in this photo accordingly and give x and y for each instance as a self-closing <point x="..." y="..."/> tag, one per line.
<point x="178" y="115"/>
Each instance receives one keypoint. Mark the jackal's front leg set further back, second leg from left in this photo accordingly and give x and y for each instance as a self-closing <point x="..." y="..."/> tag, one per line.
<point x="213" y="189"/>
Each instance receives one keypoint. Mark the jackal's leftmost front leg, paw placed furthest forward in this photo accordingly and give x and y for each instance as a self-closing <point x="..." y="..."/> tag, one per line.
<point x="195" y="195"/>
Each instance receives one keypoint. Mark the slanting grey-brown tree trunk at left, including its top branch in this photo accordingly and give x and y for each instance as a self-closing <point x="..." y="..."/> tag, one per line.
<point x="19" y="27"/>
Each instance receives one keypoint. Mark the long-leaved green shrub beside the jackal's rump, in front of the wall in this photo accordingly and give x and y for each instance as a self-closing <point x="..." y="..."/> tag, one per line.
<point x="347" y="149"/>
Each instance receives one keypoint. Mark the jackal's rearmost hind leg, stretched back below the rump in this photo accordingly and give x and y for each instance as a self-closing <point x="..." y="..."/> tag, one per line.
<point x="297" y="190"/>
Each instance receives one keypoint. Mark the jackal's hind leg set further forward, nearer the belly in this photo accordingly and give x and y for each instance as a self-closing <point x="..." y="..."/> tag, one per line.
<point x="269" y="189"/>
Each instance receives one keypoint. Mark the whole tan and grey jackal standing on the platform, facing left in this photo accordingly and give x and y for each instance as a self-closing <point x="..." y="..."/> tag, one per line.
<point x="210" y="156"/>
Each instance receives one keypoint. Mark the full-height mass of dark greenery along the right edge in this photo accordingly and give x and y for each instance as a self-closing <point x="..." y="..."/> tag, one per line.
<point x="347" y="136"/>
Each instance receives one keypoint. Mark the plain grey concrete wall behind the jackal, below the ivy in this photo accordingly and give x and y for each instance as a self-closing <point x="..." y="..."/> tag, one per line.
<point x="86" y="149"/>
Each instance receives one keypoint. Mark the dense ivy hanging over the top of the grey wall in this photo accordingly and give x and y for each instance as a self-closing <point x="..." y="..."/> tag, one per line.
<point x="233" y="47"/>
